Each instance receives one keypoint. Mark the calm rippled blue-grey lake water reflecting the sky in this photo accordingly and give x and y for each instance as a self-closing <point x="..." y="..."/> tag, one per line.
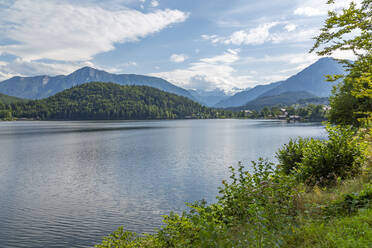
<point x="67" y="184"/>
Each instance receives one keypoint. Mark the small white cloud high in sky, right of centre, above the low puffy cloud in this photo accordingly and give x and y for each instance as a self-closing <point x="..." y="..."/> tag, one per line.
<point x="255" y="36"/>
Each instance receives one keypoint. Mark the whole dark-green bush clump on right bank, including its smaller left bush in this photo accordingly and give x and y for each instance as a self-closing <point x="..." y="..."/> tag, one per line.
<point x="323" y="162"/>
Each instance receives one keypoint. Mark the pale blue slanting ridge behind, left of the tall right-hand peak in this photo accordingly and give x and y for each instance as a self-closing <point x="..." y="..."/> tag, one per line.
<point x="241" y="98"/>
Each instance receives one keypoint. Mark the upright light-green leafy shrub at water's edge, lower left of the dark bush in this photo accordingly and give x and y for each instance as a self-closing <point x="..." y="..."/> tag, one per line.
<point x="263" y="202"/>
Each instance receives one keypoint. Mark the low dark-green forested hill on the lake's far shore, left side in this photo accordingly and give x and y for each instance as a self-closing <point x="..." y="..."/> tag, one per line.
<point x="111" y="101"/>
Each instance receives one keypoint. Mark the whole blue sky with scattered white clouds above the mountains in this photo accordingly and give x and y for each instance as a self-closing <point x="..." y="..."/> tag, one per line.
<point x="196" y="44"/>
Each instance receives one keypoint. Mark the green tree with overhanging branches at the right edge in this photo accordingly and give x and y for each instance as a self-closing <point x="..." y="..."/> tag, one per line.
<point x="351" y="101"/>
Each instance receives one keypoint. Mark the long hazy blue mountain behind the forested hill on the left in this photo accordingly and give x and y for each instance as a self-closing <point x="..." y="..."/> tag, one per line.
<point x="43" y="86"/>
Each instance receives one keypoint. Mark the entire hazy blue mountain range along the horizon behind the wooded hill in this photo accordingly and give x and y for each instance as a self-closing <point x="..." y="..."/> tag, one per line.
<point x="311" y="80"/>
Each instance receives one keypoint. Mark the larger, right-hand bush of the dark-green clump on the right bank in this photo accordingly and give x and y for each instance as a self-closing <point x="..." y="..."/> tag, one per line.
<point x="325" y="161"/>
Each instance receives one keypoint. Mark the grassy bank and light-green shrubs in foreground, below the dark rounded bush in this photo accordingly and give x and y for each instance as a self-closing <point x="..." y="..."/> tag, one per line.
<point x="265" y="207"/>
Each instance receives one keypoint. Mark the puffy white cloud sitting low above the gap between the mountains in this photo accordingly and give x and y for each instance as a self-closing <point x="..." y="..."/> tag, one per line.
<point x="210" y="73"/>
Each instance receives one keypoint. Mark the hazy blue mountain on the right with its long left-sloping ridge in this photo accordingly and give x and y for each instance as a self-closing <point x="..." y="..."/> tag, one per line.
<point x="311" y="79"/>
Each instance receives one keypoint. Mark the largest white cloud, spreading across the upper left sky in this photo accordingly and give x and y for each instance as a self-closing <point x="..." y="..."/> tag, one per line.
<point x="58" y="30"/>
